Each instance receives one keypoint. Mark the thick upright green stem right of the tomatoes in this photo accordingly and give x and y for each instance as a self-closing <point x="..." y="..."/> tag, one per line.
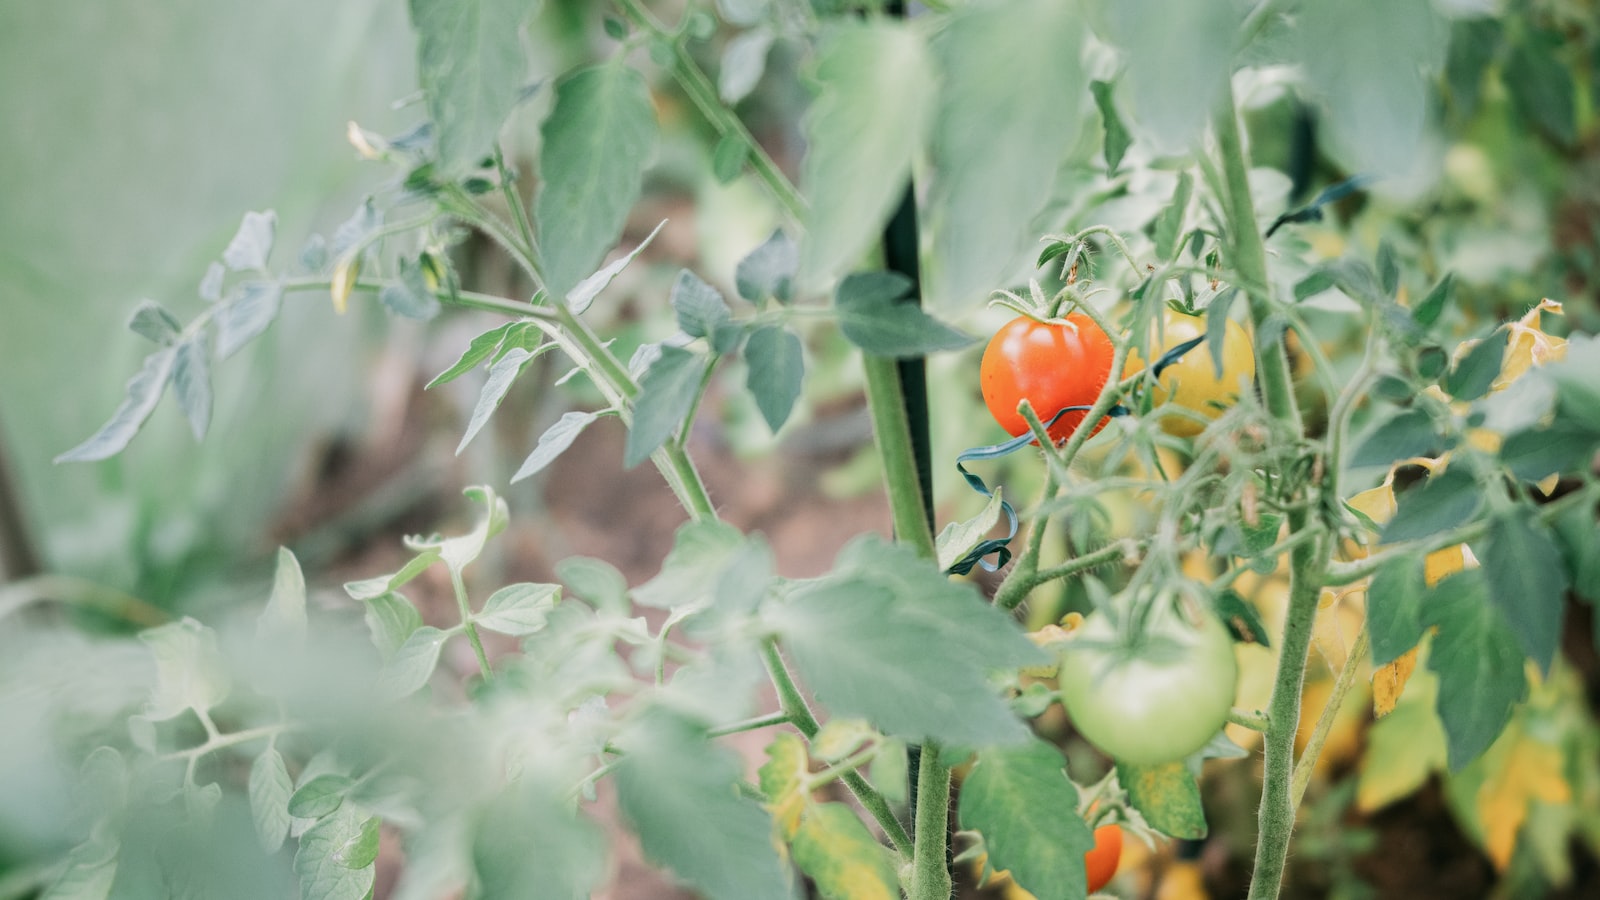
<point x="1308" y="561"/>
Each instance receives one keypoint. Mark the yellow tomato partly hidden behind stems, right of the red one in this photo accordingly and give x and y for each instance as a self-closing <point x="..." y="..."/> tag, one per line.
<point x="1194" y="382"/>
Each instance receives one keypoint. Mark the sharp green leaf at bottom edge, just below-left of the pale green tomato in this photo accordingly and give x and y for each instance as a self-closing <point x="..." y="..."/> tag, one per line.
<point x="1026" y="808"/>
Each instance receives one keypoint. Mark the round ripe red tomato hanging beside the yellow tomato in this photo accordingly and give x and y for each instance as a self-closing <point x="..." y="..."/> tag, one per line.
<point x="1050" y="364"/>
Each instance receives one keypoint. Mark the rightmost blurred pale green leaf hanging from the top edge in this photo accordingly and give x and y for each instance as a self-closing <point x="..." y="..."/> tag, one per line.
<point x="1370" y="63"/>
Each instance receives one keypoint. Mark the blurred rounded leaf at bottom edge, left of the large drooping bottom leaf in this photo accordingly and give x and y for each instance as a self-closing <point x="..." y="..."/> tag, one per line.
<point x="529" y="843"/>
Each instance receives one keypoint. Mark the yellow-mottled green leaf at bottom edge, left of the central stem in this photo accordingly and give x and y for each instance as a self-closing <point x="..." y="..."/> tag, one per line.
<point x="838" y="853"/>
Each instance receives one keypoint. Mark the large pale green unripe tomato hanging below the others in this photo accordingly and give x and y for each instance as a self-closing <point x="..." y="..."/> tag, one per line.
<point x="1150" y="696"/>
